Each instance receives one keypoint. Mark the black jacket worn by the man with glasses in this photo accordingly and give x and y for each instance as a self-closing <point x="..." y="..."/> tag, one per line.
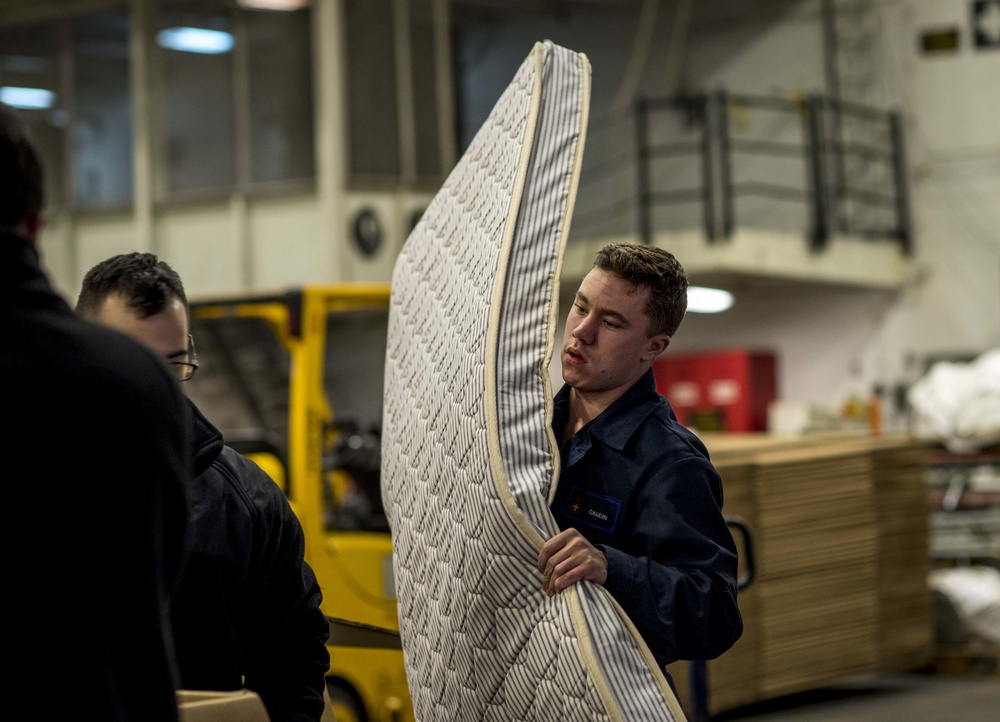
<point x="248" y="604"/>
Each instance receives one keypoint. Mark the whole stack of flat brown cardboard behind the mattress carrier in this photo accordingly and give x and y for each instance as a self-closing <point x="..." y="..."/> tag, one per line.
<point x="839" y="528"/>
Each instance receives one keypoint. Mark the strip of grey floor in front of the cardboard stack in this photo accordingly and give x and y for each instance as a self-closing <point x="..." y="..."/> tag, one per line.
<point x="909" y="698"/>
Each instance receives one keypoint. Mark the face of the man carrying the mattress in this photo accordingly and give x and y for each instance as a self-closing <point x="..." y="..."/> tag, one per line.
<point x="605" y="347"/>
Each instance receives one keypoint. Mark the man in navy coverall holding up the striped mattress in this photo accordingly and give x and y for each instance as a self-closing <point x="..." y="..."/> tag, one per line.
<point x="638" y="500"/>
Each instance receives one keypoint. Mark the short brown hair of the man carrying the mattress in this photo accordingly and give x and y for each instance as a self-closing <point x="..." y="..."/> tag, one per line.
<point x="658" y="271"/>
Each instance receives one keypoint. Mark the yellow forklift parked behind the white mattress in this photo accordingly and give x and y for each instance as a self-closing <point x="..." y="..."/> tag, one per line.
<point x="294" y="381"/>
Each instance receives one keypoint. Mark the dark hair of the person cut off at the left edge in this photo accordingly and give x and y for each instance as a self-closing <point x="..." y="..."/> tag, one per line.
<point x="22" y="182"/>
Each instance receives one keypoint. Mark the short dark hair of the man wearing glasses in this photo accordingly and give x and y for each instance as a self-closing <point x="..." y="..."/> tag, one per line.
<point x="147" y="284"/>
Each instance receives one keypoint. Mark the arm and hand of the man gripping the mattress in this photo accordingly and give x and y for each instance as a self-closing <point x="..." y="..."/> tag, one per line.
<point x="677" y="581"/>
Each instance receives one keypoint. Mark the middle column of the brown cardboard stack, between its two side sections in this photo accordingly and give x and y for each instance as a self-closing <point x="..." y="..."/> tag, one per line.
<point x="816" y="556"/>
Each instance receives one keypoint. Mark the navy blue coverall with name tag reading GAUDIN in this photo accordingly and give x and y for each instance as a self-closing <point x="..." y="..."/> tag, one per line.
<point x="640" y="487"/>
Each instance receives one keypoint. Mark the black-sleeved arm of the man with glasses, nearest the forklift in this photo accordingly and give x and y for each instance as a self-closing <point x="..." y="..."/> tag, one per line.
<point x="288" y="660"/>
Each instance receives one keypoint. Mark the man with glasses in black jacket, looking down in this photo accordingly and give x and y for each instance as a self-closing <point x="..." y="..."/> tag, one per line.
<point x="248" y="605"/>
